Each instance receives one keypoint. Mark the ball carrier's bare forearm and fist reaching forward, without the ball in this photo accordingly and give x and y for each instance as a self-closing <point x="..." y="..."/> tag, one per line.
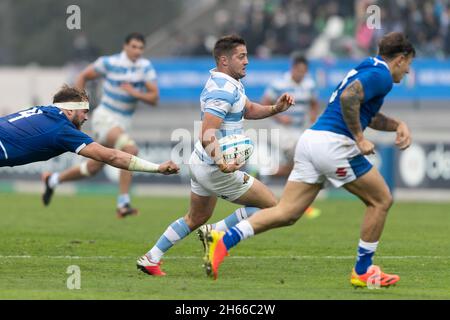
<point x="255" y="110"/>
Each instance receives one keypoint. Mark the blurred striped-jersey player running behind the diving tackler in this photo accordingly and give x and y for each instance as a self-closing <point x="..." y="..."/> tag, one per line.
<point x="128" y="78"/>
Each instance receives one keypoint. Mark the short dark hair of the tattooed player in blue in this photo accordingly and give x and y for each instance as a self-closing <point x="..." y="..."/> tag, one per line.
<point x="394" y="44"/>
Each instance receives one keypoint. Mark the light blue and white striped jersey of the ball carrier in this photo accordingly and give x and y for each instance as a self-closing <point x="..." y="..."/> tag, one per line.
<point x="224" y="97"/>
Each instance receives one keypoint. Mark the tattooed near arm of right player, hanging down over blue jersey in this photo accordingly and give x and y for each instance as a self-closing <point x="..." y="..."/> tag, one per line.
<point x="351" y="99"/>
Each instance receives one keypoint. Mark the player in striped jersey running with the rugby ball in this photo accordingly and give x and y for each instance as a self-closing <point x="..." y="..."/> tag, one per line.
<point x="224" y="107"/>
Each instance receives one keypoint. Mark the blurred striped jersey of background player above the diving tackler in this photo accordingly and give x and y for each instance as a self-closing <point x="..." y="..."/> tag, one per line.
<point x="117" y="69"/>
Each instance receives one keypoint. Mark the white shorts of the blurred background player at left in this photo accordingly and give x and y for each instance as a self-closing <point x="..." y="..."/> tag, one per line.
<point x="104" y="119"/>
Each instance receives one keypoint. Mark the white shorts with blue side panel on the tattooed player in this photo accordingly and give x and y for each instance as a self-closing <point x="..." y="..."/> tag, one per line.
<point x="327" y="157"/>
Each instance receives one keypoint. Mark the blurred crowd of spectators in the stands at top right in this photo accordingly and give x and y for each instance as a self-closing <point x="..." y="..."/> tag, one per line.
<point x="328" y="28"/>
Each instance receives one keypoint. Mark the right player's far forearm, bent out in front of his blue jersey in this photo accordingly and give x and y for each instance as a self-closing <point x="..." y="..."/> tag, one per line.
<point x="384" y="123"/>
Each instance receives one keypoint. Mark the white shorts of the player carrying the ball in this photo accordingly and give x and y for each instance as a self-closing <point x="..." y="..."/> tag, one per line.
<point x="208" y="180"/>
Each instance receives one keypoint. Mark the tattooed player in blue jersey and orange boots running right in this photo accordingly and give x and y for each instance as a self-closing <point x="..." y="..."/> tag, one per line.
<point x="333" y="151"/>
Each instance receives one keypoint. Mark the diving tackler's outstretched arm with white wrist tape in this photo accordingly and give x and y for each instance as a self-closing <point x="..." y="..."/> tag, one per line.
<point x="123" y="160"/>
